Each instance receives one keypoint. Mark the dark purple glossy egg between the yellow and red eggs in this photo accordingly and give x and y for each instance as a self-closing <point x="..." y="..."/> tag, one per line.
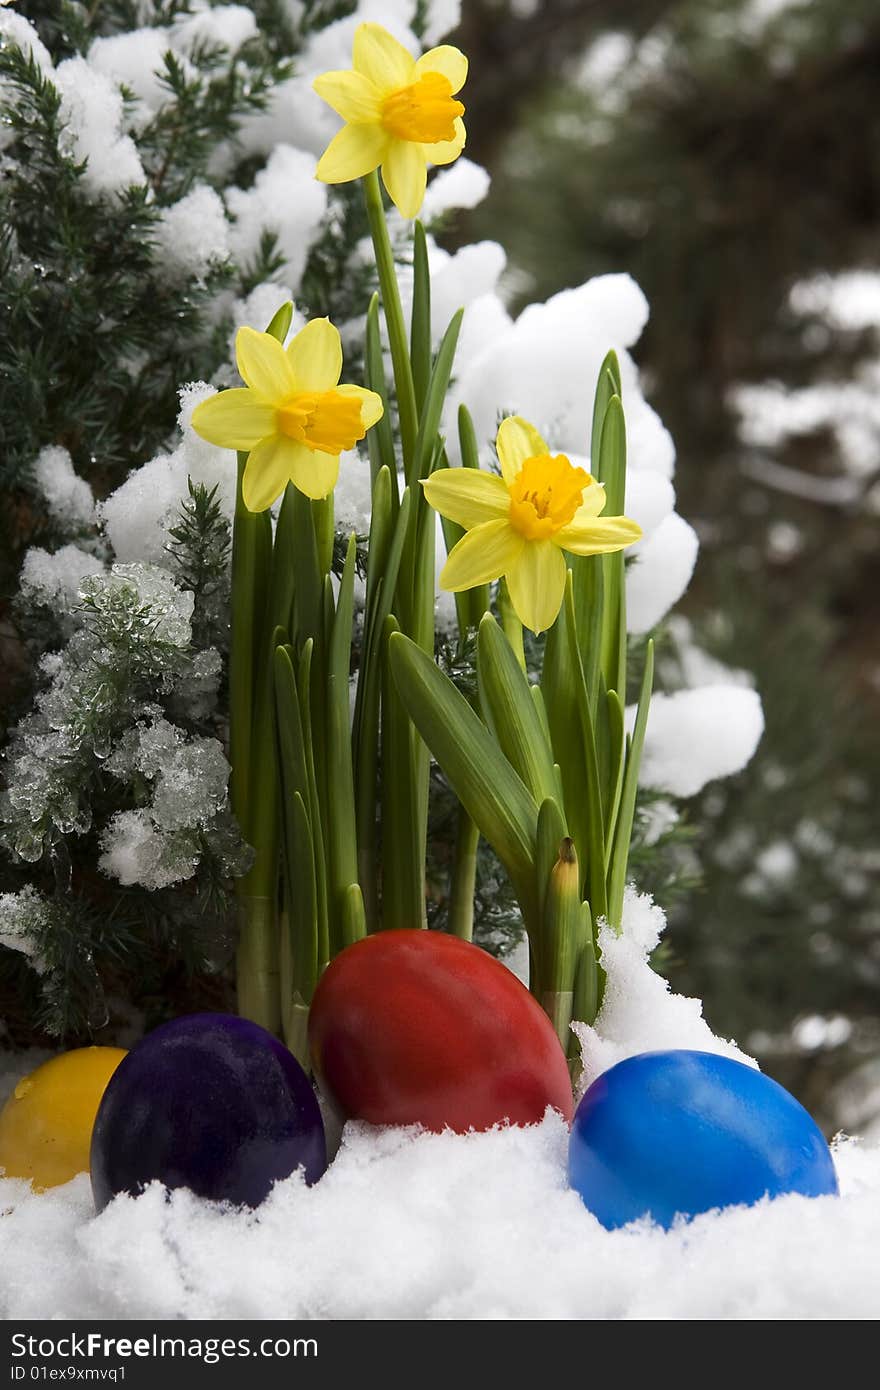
<point x="212" y="1103"/>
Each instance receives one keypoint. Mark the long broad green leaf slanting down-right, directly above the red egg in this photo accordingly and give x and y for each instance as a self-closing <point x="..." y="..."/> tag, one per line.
<point x="482" y="778"/>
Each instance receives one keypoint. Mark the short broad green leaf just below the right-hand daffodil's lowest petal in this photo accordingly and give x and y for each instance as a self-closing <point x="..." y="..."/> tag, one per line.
<point x="510" y="711"/>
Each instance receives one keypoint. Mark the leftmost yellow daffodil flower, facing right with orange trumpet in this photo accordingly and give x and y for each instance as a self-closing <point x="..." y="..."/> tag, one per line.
<point x="291" y="414"/>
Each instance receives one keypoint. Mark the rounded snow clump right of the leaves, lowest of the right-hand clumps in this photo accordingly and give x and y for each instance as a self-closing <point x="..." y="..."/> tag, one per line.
<point x="697" y="736"/>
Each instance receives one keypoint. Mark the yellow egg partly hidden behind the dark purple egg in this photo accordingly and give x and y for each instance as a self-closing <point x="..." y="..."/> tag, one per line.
<point x="47" y="1124"/>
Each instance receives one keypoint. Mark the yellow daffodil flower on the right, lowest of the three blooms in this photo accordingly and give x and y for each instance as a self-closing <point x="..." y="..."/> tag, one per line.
<point x="519" y="525"/>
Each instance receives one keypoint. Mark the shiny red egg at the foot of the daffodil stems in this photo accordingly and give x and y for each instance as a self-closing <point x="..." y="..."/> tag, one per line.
<point x="419" y="1028"/>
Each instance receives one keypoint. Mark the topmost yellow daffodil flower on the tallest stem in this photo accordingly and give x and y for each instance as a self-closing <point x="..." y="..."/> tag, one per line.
<point x="400" y="112"/>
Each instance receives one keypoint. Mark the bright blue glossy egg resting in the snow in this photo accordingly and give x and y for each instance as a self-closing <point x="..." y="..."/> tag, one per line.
<point x="681" y="1134"/>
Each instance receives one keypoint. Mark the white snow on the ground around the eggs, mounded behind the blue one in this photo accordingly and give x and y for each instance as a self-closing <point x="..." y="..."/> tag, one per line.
<point x="408" y="1225"/>
